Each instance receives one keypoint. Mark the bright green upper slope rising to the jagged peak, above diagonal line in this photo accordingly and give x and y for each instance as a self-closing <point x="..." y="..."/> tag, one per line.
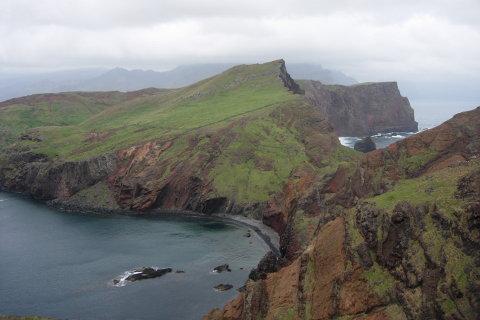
<point x="235" y="93"/>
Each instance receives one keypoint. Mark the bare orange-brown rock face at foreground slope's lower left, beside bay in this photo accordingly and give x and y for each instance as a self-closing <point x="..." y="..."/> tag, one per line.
<point x="315" y="284"/>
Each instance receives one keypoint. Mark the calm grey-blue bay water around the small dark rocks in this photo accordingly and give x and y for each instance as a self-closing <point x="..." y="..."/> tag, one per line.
<point x="61" y="265"/>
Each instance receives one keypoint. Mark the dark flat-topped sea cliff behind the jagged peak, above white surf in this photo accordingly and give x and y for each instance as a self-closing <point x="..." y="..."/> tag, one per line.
<point x="362" y="109"/>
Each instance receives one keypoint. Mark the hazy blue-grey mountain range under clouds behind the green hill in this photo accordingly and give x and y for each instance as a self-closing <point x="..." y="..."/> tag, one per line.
<point x="120" y="79"/>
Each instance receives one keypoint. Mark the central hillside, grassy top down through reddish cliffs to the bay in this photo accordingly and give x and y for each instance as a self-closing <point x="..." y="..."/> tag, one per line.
<point x="224" y="143"/>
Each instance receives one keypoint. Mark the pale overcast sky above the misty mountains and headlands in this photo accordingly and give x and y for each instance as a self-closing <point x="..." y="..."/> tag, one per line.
<point x="411" y="41"/>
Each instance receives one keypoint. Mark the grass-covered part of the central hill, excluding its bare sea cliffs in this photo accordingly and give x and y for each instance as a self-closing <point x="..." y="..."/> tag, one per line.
<point x="244" y="130"/>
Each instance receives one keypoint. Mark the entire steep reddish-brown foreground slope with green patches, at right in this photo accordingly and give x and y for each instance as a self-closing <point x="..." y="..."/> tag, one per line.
<point x="394" y="235"/>
